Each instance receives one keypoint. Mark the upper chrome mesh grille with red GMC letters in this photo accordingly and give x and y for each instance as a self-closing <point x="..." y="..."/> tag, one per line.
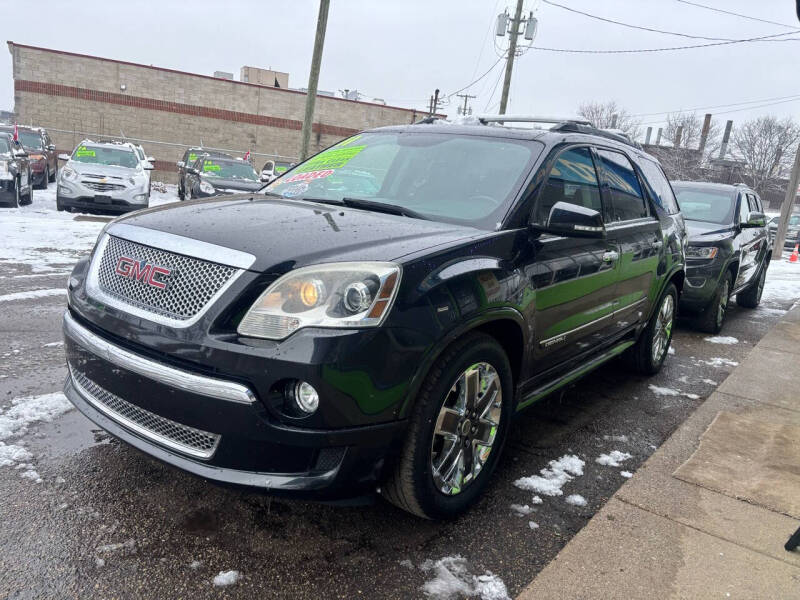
<point x="186" y="291"/>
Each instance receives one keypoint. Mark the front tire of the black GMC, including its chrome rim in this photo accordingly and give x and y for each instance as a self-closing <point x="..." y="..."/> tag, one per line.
<point x="457" y="431"/>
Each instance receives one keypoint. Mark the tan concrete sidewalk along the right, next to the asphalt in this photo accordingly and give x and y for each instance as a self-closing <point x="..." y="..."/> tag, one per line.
<point x="663" y="537"/>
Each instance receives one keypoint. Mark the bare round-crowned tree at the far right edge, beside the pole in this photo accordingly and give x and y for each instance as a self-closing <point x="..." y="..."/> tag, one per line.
<point x="766" y="145"/>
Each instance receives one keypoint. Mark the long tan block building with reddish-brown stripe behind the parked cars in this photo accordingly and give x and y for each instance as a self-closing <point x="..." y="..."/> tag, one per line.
<point x="76" y="96"/>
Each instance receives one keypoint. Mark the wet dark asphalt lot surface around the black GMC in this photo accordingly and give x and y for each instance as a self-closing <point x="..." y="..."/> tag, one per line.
<point x="106" y="521"/>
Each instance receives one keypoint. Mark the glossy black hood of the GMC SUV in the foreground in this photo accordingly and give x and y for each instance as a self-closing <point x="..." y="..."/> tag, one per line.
<point x="286" y="234"/>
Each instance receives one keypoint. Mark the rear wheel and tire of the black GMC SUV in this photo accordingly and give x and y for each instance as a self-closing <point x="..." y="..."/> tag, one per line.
<point x="647" y="355"/>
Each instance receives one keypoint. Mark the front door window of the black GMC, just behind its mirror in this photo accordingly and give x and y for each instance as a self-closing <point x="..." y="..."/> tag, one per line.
<point x="572" y="179"/>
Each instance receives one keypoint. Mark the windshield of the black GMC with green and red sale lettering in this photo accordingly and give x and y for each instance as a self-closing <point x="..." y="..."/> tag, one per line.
<point x="447" y="177"/>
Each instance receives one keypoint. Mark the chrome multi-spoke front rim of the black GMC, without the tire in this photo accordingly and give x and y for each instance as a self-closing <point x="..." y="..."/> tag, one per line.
<point x="466" y="428"/>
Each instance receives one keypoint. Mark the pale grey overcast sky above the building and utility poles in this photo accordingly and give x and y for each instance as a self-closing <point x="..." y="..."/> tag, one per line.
<point x="402" y="50"/>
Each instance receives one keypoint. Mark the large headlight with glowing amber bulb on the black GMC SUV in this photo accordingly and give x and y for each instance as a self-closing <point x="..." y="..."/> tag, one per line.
<point x="339" y="295"/>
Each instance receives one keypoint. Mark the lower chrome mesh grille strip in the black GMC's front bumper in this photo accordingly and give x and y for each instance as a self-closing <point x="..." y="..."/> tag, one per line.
<point x="180" y="437"/>
